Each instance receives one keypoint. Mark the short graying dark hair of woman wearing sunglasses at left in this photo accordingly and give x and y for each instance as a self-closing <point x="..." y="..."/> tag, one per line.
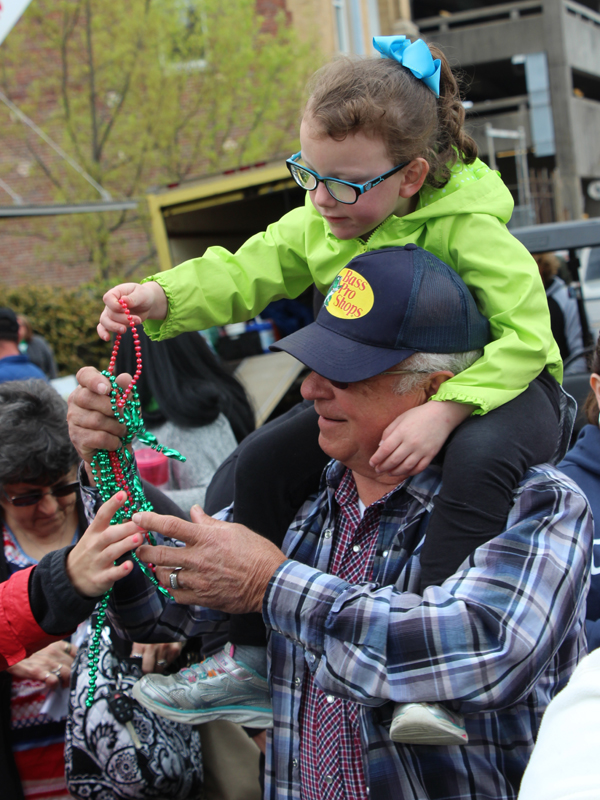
<point x="35" y="445"/>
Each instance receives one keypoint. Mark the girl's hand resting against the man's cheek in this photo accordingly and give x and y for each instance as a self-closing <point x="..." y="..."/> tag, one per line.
<point x="412" y="440"/>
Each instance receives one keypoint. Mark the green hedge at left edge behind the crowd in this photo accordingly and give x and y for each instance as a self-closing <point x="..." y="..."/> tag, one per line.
<point x="67" y="319"/>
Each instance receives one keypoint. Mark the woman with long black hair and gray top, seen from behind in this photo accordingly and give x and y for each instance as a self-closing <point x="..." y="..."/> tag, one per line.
<point x="192" y="404"/>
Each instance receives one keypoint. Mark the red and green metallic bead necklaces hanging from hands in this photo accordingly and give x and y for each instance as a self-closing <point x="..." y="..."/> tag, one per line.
<point x="115" y="471"/>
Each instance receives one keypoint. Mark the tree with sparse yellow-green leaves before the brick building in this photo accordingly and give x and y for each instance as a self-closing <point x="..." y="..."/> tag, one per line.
<point x="142" y="93"/>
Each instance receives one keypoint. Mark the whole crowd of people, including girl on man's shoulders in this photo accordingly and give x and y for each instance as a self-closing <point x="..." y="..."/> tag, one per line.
<point x="388" y="586"/>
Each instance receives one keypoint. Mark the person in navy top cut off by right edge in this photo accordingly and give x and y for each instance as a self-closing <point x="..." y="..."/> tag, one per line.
<point x="582" y="464"/>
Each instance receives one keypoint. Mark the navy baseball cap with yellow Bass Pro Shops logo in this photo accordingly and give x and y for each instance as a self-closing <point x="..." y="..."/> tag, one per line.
<point x="383" y="307"/>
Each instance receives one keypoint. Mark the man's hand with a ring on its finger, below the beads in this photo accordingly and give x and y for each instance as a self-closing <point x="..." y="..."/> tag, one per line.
<point x="224" y="565"/>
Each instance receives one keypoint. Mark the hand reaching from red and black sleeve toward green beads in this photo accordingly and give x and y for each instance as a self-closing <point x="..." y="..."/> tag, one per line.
<point x="90" y="564"/>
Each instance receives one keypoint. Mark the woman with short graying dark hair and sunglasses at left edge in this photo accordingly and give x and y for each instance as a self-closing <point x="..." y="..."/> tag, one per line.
<point x="39" y="513"/>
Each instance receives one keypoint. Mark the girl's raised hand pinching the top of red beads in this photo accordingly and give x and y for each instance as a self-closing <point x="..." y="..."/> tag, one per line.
<point x="145" y="301"/>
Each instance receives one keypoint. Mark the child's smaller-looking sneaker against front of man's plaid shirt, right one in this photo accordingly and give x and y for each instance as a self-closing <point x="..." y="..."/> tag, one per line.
<point x="427" y="723"/>
